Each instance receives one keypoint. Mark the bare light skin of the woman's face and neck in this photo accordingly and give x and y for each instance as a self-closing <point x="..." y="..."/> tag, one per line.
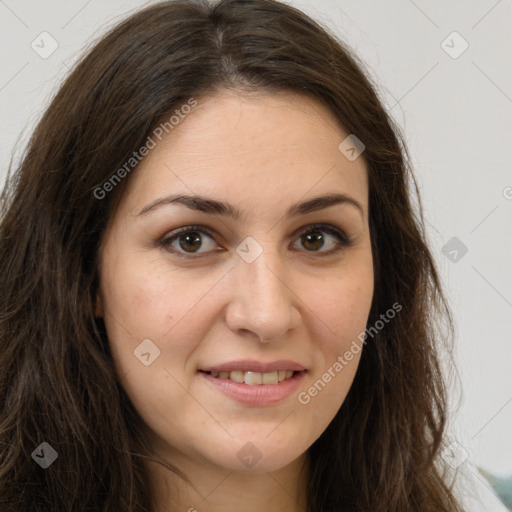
<point x="261" y="153"/>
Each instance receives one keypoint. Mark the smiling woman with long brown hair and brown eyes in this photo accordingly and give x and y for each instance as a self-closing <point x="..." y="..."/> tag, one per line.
<point x="217" y="293"/>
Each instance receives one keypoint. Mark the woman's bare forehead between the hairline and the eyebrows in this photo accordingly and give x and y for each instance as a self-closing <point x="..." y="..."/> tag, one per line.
<point x="258" y="149"/>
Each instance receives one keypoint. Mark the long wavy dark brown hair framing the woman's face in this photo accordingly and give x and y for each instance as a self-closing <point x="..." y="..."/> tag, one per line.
<point x="57" y="380"/>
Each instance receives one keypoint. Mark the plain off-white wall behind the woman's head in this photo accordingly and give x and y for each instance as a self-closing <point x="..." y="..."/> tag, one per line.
<point x="456" y="114"/>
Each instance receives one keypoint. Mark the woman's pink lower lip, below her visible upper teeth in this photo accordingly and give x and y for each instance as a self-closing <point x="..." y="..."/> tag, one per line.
<point x="259" y="394"/>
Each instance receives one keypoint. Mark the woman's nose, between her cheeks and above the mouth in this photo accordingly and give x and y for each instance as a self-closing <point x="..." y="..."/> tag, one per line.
<point x="263" y="303"/>
